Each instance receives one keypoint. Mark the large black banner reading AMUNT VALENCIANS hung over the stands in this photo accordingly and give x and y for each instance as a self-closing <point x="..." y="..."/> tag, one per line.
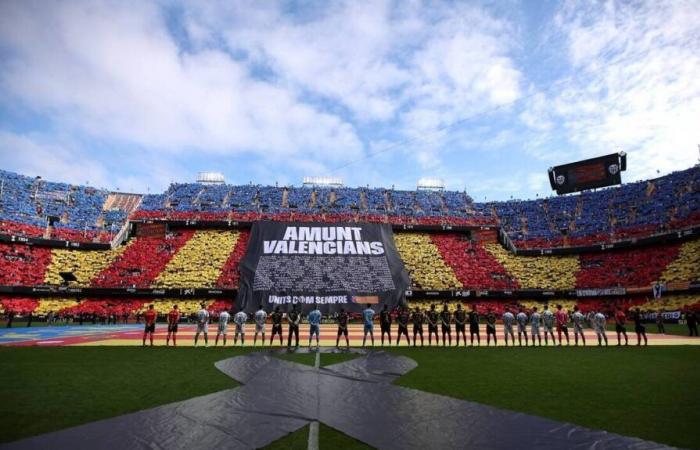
<point x="333" y="266"/>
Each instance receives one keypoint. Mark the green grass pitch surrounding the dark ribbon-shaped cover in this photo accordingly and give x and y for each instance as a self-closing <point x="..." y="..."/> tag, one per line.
<point x="649" y="393"/>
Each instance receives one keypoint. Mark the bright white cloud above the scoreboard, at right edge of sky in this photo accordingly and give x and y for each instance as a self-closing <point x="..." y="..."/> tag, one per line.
<point x="632" y="83"/>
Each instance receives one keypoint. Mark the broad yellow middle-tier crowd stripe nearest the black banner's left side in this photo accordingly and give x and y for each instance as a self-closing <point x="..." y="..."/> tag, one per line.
<point x="200" y="261"/>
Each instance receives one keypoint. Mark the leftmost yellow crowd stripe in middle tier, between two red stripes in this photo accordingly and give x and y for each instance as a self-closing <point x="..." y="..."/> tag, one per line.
<point x="85" y="264"/>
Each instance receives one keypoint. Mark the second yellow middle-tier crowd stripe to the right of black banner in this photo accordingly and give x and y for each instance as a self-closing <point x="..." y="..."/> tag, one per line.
<point x="538" y="272"/>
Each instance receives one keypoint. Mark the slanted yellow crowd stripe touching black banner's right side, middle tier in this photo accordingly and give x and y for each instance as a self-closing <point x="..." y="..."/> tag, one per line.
<point x="424" y="262"/>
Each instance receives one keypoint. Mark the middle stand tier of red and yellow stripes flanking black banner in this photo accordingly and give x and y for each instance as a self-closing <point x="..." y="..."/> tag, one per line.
<point x="210" y="259"/>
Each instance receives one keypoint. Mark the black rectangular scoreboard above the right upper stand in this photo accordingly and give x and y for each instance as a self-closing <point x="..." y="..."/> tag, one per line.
<point x="588" y="174"/>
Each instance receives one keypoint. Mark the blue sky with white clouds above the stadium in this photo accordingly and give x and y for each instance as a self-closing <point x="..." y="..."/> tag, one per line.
<point x="484" y="95"/>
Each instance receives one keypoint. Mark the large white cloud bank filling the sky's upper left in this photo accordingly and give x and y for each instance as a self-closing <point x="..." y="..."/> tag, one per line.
<point x="112" y="70"/>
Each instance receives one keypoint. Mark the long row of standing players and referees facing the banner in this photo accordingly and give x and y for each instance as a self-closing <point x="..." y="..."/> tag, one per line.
<point x="443" y="319"/>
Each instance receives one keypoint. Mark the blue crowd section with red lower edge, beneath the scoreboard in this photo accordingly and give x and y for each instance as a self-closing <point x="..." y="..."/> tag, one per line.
<point x="631" y="210"/>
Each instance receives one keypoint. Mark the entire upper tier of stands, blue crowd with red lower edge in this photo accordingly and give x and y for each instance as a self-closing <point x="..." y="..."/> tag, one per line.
<point x="636" y="209"/>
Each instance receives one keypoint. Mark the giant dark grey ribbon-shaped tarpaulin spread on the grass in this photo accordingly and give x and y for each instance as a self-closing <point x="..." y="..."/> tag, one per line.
<point x="355" y="397"/>
